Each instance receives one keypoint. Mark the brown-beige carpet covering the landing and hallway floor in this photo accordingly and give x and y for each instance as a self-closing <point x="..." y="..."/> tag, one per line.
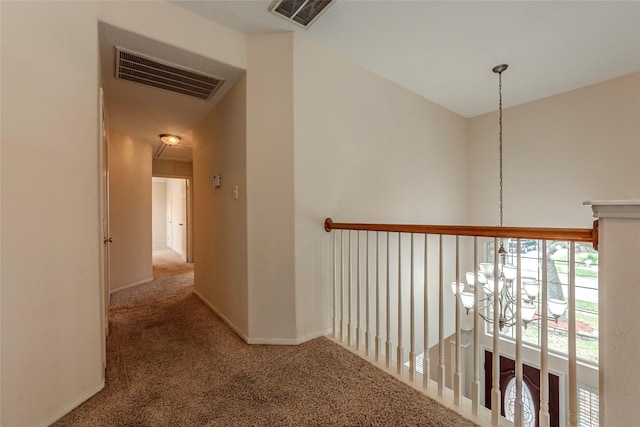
<point x="173" y="362"/>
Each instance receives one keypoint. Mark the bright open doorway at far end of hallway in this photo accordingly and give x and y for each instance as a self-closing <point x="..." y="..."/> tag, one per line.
<point x="171" y="215"/>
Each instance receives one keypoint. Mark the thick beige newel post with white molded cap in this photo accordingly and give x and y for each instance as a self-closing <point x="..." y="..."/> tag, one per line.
<point x="619" y="310"/>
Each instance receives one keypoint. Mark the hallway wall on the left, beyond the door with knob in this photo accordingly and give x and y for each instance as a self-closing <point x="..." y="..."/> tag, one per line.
<point x="129" y="211"/>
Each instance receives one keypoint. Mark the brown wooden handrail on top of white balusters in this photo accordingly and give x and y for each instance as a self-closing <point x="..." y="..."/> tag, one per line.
<point x="589" y="235"/>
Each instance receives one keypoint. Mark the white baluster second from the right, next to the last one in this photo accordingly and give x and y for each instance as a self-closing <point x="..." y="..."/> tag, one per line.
<point x="544" y="346"/>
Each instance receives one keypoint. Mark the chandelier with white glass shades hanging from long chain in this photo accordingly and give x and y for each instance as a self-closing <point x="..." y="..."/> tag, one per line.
<point x="506" y="273"/>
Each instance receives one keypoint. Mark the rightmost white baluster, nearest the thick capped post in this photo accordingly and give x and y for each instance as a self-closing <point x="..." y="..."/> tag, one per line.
<point x="573" y="379"/>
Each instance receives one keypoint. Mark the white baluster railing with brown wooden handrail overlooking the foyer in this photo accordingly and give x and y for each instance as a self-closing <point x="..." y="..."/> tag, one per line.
<point x="414" y="277"/>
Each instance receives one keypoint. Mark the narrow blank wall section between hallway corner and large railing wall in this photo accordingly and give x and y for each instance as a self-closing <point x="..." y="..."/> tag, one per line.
<point x="270" y="189"/>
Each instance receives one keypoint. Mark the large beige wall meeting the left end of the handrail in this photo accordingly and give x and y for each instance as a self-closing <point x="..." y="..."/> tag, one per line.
<point x="366" y="150"/>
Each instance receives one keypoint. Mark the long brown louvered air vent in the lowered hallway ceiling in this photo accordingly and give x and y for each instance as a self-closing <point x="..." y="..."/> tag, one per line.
<point x="154" y="72"/>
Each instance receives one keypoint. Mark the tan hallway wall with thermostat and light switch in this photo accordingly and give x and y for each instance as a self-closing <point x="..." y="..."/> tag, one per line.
<point x="220" y="221"/>
